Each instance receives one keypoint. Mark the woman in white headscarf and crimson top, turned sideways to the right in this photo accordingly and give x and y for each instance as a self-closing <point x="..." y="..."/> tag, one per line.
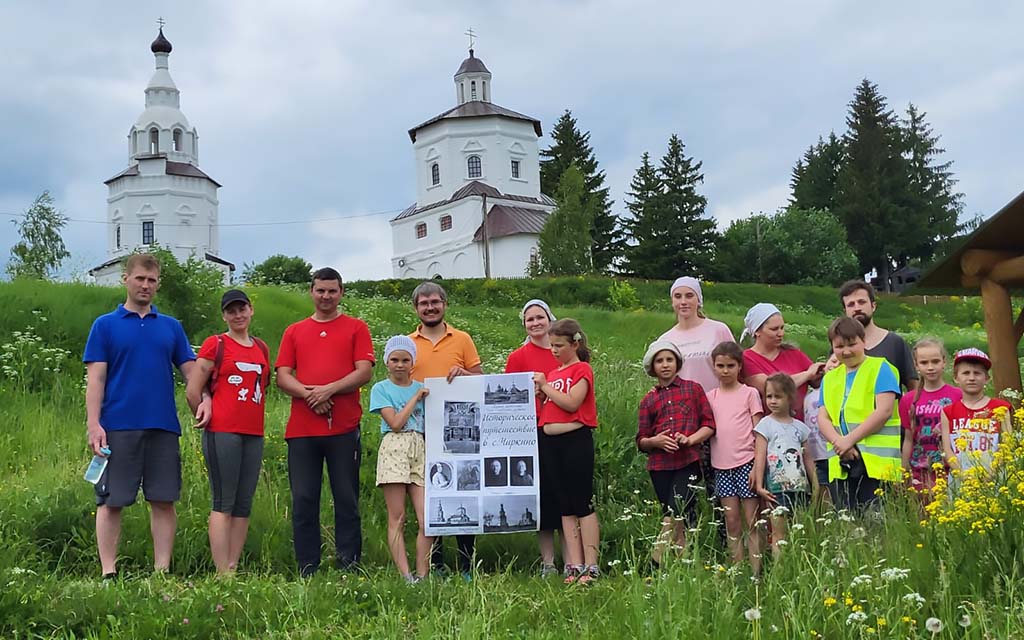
<point x="771" y="355"/>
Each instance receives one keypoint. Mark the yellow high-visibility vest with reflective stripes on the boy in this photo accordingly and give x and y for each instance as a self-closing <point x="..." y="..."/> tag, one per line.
<point x="881" y="451"/>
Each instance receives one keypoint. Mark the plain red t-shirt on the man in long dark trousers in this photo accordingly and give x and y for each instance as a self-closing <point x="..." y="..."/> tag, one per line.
<point x="320" y="354"/>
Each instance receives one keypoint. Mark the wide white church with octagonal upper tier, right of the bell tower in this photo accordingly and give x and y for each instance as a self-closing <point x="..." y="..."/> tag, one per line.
<point x="480" y="209"/>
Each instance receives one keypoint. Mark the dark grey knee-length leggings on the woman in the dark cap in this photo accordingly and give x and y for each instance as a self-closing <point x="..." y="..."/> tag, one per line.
<point x="234" y="461"/>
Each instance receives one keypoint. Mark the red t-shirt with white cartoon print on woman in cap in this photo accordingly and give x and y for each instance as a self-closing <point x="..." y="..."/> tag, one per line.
<point x="240" y="400"/>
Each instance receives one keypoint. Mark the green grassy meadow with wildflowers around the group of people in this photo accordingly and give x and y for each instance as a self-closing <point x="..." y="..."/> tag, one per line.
<point x="839" y="577"/>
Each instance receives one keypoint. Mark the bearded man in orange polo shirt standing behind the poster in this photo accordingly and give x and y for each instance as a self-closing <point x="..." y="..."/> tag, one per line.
<point x="443" y="352"/>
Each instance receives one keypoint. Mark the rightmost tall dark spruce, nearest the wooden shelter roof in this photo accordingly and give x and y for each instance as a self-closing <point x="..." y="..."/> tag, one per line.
<point x="937" y="206"/>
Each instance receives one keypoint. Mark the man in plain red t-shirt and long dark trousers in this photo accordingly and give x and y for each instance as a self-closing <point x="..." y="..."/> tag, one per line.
<point x="323" y="362"/>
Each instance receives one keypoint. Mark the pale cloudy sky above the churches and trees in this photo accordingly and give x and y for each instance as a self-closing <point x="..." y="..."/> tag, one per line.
<point x="304" y="107"/>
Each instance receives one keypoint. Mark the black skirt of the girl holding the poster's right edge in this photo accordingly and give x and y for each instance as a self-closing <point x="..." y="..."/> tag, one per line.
<point x="571" y="471"/>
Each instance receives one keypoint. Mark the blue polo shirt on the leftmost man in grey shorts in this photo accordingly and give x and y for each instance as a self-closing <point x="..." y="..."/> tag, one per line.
<point x="141" y="356"/>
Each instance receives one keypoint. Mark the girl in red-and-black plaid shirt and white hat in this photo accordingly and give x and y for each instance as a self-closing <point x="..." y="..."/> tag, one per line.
<point x="674" y="419"/>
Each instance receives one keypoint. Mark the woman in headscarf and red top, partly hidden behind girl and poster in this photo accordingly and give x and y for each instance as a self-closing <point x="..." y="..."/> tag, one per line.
<point x="535" y="357"/>
